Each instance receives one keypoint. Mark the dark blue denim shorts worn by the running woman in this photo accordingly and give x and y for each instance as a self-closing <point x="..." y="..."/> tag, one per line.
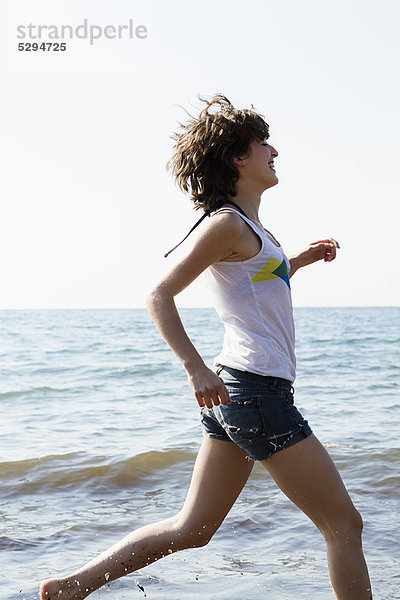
<point x="261" y="417"/>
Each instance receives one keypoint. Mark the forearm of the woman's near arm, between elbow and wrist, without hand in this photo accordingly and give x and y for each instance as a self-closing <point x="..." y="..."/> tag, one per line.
<point x="162" y="308"/>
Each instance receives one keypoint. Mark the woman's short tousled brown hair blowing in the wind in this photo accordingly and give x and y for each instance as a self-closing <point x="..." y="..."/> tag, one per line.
<point x="202" y="162"/>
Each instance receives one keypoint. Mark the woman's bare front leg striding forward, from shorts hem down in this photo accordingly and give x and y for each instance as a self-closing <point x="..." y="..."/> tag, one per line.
<point x="307" y="475"/>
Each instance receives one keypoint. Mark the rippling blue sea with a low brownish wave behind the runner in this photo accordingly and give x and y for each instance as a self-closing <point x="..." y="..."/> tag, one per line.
<point x="99" y="432"/>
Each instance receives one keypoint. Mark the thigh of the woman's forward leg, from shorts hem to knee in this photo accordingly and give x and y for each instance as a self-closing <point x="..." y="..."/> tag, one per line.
<point x="307" y="475"/>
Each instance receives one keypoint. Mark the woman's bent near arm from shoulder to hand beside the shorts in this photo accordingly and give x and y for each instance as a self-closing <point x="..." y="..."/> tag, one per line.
<point x="214" y="243"/>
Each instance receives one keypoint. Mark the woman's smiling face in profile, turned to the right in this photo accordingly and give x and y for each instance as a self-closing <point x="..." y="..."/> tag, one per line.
<point x="258" y="164"/>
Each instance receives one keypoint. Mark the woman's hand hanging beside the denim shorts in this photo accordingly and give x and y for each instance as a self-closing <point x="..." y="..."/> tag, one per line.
<point x="208" y="388"/>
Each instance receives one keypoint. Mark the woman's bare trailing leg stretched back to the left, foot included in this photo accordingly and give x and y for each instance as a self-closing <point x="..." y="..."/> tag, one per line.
<point x="220" y="472"/>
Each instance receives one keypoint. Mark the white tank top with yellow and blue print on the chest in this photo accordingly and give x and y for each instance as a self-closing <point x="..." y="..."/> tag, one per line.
<point x="252" y="298"/>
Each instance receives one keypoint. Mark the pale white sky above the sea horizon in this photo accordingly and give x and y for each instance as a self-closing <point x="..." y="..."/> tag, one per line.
<point x="87" y="209"/>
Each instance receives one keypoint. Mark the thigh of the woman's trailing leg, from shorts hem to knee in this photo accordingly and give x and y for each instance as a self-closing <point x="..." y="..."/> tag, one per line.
<point x="220" y="472"/>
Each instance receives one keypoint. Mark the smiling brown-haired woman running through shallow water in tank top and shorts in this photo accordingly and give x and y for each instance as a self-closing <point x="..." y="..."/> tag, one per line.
<point x="247" y="409"/>
